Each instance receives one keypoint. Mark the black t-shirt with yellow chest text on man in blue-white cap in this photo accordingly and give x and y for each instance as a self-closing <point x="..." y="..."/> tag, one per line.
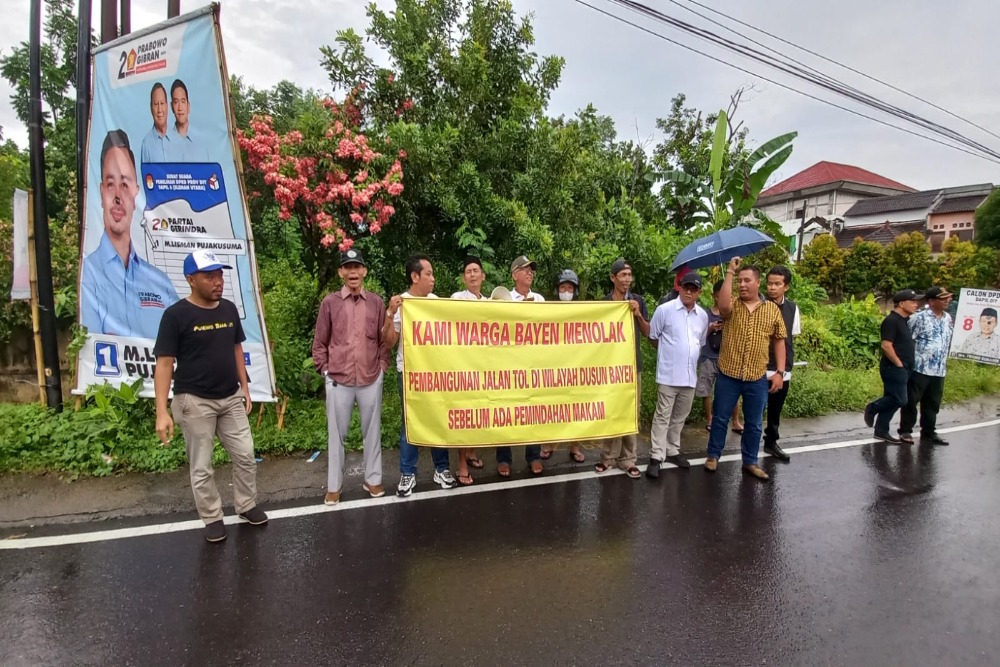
<point x="203" y="341"/>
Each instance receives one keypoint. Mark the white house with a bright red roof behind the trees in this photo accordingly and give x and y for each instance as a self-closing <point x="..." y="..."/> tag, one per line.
<point x="823" y="192"/>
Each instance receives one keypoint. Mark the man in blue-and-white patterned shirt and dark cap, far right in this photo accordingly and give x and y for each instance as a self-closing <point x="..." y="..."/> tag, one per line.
<point x="931" y="331"/>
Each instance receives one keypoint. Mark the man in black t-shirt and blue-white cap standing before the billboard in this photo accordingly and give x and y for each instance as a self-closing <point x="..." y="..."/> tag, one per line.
<point x="211" y="391"/>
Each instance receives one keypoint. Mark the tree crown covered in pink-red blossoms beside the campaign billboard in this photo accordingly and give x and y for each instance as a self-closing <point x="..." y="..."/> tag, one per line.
<point x="327" y="176"/>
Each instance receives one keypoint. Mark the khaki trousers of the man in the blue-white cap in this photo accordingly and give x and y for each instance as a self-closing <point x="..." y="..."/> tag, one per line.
<point x="201" y="420"/>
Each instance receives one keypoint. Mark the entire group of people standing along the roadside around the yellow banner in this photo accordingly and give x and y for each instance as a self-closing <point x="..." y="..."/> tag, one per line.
<point x="742" y="349"/>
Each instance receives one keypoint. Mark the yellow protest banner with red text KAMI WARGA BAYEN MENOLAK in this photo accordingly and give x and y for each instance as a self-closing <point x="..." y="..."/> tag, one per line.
<point x="501" y="373"/>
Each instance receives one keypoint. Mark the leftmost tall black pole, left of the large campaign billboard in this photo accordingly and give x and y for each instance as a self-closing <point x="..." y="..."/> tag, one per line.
<point x="43" y="258"/>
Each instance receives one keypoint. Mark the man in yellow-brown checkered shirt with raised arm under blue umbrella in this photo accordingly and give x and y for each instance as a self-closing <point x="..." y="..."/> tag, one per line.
<point x="751" y="327"/>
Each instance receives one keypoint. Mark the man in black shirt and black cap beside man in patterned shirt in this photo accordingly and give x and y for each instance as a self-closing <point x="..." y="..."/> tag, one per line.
<point x="895" y="366"/>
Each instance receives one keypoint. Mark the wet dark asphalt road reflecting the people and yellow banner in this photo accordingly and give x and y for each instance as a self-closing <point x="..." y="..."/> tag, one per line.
<point x="869" y="555"/>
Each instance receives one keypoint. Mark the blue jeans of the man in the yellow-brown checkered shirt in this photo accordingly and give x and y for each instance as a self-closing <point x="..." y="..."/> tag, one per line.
<point x="728" y="391"/>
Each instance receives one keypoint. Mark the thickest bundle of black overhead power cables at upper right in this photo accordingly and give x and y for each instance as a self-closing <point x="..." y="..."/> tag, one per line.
<point x="823" y="81"/>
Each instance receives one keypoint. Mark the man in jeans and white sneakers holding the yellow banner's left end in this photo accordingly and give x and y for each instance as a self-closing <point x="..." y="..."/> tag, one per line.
<point x="421" y="277"/>
